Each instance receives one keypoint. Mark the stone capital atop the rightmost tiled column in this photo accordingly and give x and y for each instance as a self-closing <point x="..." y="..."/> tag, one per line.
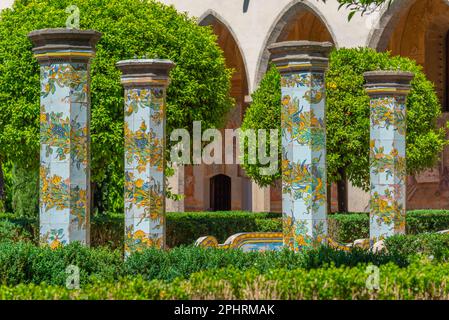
<point x="388" y="82"/>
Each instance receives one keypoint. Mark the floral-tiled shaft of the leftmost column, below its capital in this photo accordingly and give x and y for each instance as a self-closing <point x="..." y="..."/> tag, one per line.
<point x="64" y="138"/>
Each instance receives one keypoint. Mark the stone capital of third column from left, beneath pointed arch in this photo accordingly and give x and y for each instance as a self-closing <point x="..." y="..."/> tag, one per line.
<point x="291" y="56"/>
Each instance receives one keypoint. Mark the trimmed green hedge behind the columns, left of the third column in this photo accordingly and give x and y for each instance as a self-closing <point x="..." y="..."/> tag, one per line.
<point x="182" y="228"/>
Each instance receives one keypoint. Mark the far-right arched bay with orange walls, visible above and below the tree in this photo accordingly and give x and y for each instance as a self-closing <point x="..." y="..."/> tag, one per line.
<point x="419" y="30"/>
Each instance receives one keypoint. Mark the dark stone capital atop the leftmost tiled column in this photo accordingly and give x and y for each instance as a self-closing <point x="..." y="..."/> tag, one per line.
<point x="64" y="45"/>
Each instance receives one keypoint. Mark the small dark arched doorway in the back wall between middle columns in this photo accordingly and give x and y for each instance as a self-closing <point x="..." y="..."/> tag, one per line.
<point x="220" y="193"/>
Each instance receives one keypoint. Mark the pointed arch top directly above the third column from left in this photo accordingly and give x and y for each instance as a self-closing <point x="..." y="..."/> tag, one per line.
<point x="287" y="26"/>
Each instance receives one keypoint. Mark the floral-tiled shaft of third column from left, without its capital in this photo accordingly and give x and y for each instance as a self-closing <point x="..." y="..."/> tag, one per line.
<point x="304" y="159"/>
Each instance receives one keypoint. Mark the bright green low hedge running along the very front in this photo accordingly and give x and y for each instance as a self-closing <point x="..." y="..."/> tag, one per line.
<point x="417" y="281"/>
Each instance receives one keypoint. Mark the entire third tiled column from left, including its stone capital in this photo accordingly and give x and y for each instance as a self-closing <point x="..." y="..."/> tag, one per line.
<point x="302" y="65"/>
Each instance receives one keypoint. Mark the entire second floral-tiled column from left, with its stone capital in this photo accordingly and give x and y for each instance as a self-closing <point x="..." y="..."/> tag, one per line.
<point x="145" y="83"/>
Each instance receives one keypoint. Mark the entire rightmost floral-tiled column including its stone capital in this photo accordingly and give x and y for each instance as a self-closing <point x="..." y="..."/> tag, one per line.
<point x="388" y="91"/>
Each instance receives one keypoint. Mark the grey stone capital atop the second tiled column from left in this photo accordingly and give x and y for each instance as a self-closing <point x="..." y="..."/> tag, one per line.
<point x="145" y="72"/>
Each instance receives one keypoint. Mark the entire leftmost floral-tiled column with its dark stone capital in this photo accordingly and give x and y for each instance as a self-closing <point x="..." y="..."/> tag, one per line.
<point x="64" y="56"/>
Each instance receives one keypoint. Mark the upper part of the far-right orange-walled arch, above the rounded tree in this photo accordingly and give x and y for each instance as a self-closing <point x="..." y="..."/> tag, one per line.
<point x="417" y="30"/>
